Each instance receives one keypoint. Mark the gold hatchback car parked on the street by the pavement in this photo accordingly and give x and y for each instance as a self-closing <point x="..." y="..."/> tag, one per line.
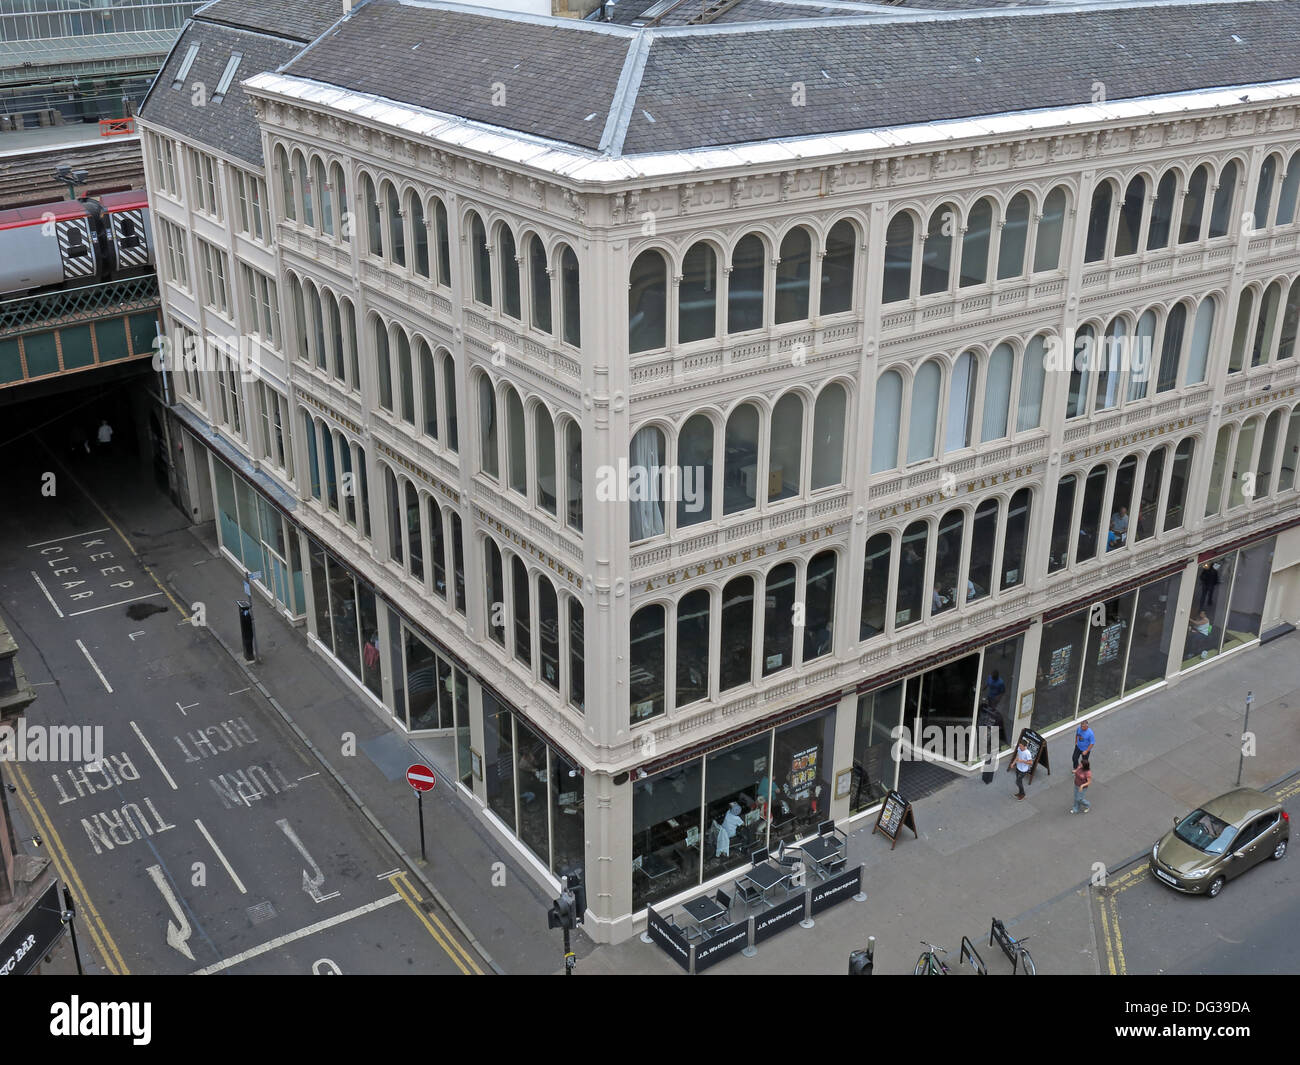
<point x="1221" y="841"/>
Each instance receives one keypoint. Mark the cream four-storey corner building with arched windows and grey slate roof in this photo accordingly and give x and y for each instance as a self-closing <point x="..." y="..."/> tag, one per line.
<point x="661" y="413"/>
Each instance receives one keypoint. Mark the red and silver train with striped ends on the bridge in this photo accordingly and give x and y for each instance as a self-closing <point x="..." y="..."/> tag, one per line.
<point x="70" y="244"/>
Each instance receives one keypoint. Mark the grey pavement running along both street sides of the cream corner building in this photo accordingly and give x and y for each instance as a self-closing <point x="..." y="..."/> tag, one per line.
<point x="980" y="855"/>
